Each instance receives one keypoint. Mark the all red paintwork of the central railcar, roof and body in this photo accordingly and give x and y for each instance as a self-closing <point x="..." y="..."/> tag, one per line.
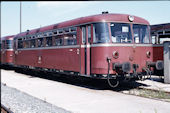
<point x="64" y="59"/>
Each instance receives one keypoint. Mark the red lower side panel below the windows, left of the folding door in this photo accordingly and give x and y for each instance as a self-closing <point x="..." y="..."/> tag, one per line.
<point x="60" y="58"/>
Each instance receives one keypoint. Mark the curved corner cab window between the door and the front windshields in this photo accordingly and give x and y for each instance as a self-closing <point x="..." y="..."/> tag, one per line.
<point x="100" y="33"/>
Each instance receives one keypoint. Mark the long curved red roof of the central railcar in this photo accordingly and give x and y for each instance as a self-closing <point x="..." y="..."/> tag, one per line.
<point x="88" y="19"/>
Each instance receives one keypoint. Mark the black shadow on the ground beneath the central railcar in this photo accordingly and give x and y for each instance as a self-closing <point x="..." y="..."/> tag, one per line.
<point x="96" y="84"/>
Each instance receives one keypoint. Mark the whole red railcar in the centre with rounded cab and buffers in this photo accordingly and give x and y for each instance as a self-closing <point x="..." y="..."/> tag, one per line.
<point x="105" y="46"/>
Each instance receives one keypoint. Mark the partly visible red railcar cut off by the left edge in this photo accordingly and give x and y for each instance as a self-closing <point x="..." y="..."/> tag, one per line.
<point x="7" y="51"/>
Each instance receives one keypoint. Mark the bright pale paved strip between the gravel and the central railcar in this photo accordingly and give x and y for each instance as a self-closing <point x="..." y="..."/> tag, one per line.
<point x="80" y="98"/>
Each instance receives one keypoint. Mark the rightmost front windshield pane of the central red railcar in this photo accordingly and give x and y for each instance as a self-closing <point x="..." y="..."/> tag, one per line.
<point x="141" y="33"/>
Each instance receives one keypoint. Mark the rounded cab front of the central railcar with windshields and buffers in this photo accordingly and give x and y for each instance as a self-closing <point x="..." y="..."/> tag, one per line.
<point x="122" y="49"/>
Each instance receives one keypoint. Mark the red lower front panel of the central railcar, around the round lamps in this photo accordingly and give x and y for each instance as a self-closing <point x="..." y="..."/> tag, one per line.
<point x="99" y="55"/>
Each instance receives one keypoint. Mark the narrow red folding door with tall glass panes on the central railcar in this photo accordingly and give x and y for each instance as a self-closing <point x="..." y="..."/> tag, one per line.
<point x="85" y="50"/>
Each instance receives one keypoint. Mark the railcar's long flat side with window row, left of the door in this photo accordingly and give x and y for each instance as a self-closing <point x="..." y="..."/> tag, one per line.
<point x="52" y="50"/>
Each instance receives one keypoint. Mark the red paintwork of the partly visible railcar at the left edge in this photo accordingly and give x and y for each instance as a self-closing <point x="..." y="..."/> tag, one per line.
<point x="7" y="55"/>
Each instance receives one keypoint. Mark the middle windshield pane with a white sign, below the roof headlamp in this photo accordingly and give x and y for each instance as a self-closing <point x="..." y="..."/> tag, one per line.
<point x="120" y="33"/>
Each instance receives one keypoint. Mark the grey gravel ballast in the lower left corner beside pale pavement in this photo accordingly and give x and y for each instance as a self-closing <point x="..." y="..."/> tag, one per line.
<point x="20" y="102"/>
